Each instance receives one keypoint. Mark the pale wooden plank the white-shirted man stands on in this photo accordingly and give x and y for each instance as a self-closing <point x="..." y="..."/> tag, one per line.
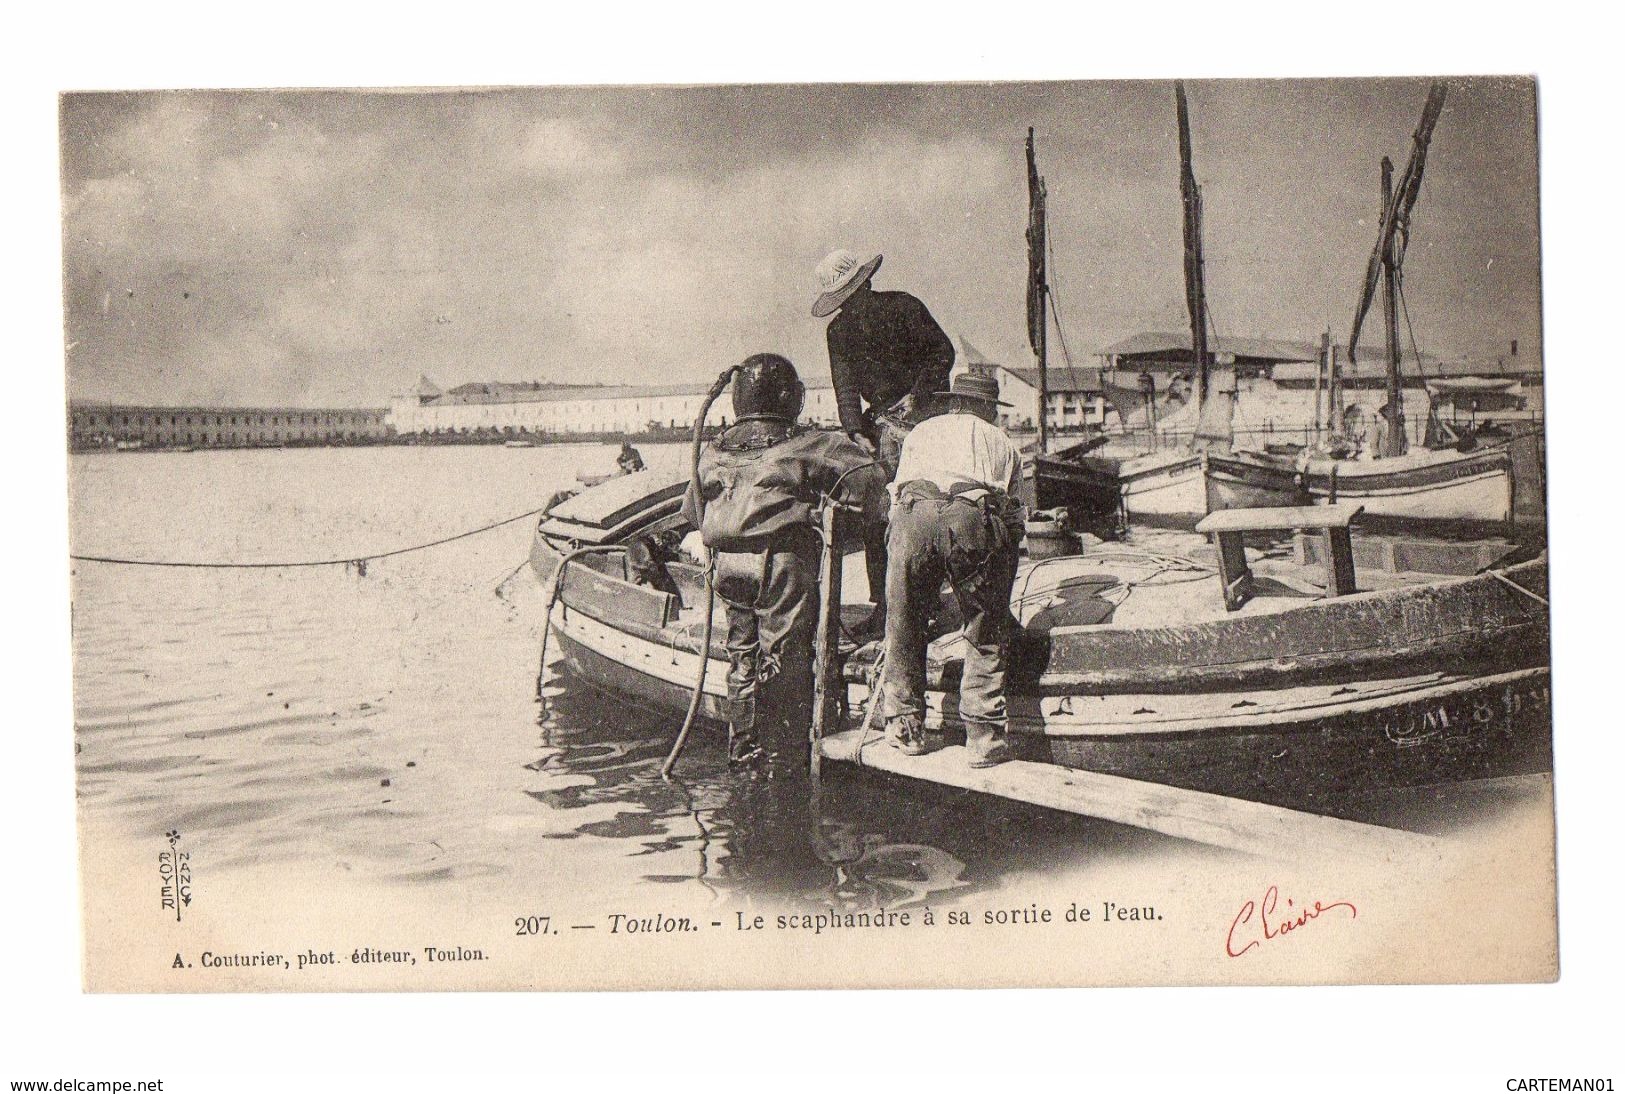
<point x="1205" y="818"/>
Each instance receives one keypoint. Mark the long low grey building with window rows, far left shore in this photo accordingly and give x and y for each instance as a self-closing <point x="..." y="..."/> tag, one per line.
<point x="126" y="427"/>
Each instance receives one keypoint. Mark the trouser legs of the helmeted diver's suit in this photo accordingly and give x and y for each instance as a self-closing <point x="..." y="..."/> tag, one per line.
<point x="771" y="597"/>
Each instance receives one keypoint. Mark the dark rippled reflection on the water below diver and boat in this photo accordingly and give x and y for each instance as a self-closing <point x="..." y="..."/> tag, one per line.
<point x="857" y="843"/>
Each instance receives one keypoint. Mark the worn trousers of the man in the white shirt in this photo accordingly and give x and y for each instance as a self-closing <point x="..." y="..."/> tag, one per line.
<point x="937" y="539"/>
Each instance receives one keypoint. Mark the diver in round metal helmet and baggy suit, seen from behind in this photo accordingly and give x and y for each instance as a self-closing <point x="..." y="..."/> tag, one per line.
<point x="761" y="485"/>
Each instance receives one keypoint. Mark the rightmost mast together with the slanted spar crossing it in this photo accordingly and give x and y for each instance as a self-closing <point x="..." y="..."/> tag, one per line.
<point x="1387" y="263"/>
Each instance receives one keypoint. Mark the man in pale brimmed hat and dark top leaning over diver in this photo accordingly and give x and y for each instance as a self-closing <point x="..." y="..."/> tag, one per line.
<point x="888" y="357"/>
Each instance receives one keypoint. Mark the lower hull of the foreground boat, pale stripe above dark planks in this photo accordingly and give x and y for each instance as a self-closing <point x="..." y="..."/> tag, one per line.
<point x="1247" y="744"/>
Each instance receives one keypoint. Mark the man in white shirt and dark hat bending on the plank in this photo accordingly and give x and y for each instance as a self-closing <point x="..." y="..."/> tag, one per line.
<point x="955" y="518"/>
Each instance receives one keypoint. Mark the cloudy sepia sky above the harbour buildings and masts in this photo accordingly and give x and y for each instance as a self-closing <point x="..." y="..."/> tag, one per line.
<point x="327" y="248"/>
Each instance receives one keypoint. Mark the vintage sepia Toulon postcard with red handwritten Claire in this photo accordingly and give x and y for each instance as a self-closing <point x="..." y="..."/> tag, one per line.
<point x="830" y="536"/>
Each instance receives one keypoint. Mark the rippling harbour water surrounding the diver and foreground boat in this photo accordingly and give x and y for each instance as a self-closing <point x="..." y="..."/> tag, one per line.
<point x="386" y="727"/>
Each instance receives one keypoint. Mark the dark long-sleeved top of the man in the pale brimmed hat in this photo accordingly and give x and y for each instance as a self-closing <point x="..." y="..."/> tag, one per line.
<point x="880" y="352"/>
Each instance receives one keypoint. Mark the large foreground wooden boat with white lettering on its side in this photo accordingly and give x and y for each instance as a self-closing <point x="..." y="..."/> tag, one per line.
<point x="1129" y="664"/>
